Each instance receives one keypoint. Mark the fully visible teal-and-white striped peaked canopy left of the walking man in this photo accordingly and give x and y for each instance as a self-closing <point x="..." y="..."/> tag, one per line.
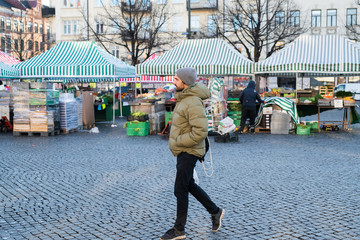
<point x="75" y="61"/>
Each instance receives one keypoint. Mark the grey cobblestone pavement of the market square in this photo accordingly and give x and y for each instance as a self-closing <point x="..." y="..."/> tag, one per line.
<point x="110" y="186"/>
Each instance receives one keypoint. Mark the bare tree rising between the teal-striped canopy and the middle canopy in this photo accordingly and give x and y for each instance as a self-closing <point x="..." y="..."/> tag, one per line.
<point x="136" y="26"/>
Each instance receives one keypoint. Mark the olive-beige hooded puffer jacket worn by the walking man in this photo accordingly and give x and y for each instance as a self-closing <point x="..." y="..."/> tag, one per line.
<point x="189" y="123"/>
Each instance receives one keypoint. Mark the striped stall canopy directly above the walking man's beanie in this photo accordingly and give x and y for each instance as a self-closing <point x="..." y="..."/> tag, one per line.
<point x="207" y="56"/>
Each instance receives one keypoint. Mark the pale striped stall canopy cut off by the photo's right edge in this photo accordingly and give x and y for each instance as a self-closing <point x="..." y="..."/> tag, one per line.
<point x="315" y="55"/>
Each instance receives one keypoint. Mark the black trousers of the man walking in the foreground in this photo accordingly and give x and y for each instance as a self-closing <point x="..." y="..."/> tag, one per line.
<point x="185" y="184"/>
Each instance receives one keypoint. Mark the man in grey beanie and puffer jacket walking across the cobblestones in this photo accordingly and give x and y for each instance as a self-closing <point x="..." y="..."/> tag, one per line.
<point x="187" y="142"/>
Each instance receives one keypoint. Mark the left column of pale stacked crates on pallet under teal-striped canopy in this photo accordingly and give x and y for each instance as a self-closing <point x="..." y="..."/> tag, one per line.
<point x="20" y="96"/>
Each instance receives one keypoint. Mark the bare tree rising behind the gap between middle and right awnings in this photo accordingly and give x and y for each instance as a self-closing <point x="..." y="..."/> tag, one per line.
<point x="260" y="26"/>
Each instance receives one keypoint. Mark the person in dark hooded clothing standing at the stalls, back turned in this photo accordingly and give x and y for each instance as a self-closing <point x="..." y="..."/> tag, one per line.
<point x="248" y="100"/>
